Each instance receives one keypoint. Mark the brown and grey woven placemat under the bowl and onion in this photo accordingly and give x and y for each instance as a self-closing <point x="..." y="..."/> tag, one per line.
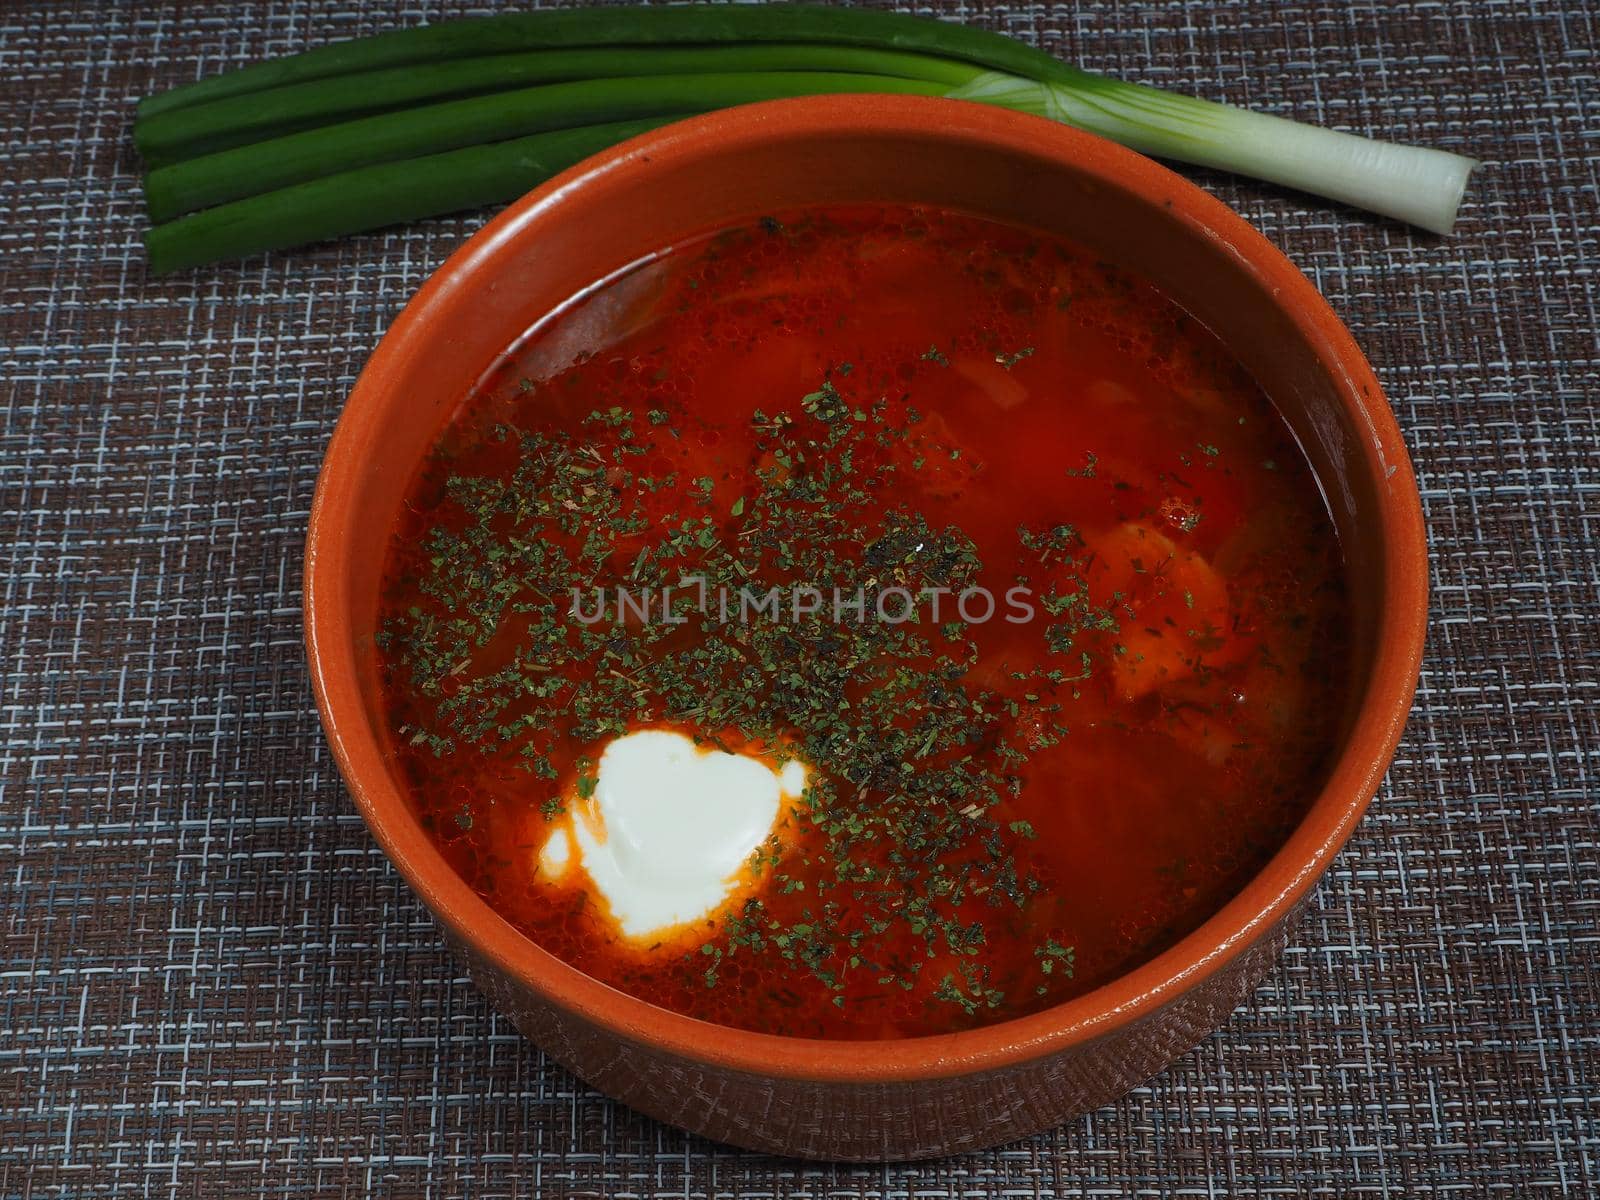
<point x="214" y="985"/>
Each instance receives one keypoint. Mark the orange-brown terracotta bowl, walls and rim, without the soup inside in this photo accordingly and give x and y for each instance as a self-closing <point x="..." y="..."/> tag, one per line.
<point x="918" y="1097"/>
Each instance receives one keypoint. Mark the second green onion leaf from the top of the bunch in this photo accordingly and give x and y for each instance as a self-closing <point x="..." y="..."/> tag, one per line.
<point x="239" y="121"/>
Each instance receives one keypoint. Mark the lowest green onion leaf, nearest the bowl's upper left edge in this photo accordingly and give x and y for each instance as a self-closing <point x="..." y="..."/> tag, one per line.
<point x="380" y="196"/>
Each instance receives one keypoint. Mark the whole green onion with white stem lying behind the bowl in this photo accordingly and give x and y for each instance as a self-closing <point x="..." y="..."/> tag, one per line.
<point x="465" y="114"/>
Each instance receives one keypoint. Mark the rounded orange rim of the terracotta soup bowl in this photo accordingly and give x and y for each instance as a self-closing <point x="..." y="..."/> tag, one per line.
<point x="1252" y="914"/>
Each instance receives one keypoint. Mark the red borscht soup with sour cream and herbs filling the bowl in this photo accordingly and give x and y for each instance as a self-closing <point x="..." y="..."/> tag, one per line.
<point x="866" y="623"/>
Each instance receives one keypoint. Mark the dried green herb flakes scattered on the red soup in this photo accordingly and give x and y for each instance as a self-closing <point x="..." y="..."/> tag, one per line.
<point x="918" y="758"/>
